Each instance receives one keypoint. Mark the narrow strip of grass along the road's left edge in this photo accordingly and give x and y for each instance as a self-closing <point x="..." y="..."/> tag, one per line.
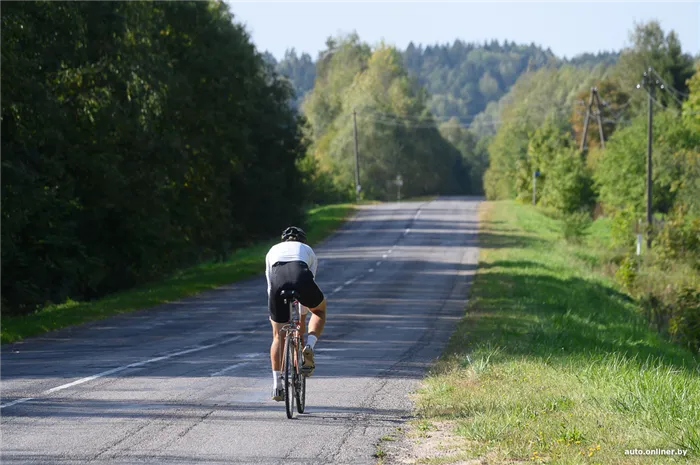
<point x="243" y="263"/>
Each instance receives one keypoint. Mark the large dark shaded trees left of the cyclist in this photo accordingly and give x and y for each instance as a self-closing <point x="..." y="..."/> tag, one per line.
<point x="135" y="140"/>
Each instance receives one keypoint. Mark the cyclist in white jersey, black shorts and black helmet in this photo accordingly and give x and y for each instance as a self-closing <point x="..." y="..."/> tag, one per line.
<point x="291" y="265"/>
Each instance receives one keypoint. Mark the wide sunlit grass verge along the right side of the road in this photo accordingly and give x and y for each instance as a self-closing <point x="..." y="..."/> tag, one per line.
<point x="552" y="363"/>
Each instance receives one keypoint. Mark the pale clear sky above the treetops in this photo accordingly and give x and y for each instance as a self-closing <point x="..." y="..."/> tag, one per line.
<point x="567" y="27"/>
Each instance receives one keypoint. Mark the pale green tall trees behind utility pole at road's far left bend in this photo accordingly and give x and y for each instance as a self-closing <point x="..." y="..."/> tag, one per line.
<point x="396" y="133"/>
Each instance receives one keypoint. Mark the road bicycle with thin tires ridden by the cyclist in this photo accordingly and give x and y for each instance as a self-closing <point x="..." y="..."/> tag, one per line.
<point x="292" y="358"/>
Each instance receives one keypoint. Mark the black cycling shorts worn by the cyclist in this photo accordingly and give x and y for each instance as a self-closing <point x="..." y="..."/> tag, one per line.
<point x="292" y="276"/>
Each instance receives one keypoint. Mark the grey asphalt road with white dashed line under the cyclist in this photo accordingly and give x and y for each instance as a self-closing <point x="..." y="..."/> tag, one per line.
<point x="189" y="382"/>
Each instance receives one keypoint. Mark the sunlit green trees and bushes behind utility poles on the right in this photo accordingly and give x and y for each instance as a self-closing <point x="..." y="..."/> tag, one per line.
<point x="541" y="131"/>
